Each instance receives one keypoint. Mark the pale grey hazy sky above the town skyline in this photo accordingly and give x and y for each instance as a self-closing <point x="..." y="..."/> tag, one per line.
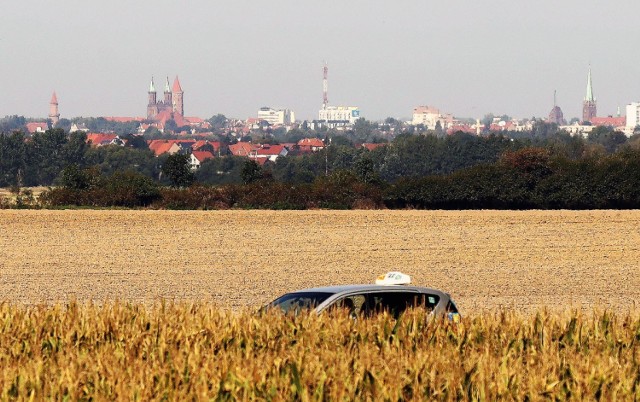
<point x="466" y="57"/>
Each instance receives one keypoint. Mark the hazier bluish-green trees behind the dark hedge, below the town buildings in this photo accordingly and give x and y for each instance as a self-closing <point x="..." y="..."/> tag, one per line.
<point x="39" y="159"/>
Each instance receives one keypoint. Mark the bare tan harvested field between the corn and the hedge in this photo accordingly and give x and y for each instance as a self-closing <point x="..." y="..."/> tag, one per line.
<point x="485" y="259"/>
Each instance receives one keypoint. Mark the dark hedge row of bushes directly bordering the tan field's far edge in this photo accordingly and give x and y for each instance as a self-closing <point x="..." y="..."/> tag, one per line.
<point x="523" y="179"/>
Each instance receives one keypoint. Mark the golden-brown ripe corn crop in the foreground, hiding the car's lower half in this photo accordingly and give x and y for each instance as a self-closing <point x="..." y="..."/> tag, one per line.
<point x="199" y="352"/>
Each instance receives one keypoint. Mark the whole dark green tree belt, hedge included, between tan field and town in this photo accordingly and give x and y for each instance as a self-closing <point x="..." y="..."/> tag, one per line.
<point x="544" y="170"/>
